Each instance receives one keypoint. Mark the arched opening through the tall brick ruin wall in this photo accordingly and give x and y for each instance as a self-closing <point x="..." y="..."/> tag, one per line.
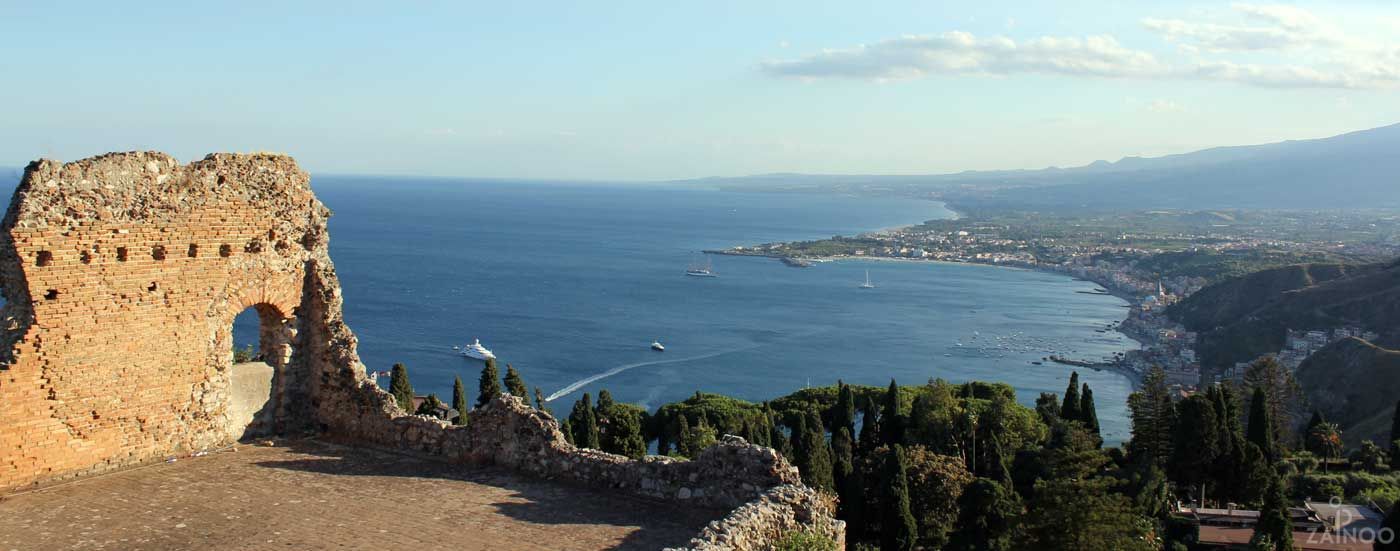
<point x="262" y="339"/>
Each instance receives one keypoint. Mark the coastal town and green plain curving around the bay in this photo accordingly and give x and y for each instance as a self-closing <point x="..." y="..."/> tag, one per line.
<point x="1153" y="262"/>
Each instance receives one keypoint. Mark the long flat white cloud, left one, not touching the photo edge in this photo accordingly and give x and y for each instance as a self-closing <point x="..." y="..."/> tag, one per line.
<point x="961" y="52"/>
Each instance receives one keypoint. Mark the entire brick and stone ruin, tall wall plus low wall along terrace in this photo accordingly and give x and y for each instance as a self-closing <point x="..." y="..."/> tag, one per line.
<point x="122" y="276"/>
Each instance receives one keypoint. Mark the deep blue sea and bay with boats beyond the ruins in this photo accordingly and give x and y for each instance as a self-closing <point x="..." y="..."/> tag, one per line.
<point x="572" y="283"/>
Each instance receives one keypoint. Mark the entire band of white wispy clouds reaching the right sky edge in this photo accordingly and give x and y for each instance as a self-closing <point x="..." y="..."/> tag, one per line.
<point x="1333" y="58"/>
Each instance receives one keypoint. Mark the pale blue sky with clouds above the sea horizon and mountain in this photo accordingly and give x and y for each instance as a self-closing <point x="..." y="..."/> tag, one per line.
<point x="647" y="90"/>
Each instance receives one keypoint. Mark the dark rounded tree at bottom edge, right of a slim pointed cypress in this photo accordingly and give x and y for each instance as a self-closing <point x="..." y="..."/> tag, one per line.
<point x="986" y="515"/>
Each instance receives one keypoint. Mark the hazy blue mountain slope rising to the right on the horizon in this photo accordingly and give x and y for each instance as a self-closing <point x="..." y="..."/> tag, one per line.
<point x="1359" y="170"/>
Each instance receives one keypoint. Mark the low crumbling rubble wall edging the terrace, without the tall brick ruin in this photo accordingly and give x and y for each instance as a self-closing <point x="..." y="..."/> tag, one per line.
<point x="762" y="489"/>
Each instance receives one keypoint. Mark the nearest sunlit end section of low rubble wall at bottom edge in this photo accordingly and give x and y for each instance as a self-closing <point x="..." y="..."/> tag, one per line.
<point x="776" y="514"/>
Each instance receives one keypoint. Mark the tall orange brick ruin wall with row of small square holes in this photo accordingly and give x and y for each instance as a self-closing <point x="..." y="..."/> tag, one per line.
<point x="122" y="276"/>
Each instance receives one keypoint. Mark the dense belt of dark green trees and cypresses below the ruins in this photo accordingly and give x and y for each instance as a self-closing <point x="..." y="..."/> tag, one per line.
<point x="944" y="466"/>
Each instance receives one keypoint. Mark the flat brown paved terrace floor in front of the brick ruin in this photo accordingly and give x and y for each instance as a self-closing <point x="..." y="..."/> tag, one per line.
<point x="314" y="496"/>
